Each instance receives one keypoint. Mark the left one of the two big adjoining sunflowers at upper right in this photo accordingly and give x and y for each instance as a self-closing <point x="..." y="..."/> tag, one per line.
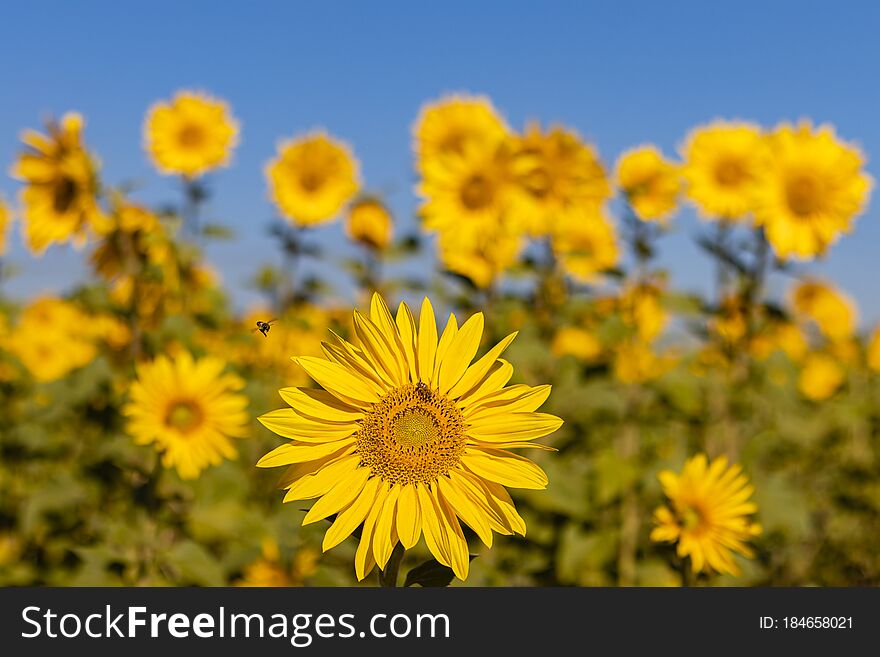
<point x="724" y="164"/>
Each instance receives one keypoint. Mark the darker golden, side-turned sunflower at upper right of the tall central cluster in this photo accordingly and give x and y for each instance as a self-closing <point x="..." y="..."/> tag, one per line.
<point x="557" y="174"/>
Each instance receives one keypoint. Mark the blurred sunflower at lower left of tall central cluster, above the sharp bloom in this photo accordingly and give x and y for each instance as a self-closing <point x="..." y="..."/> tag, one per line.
<point x="481" y="257"/>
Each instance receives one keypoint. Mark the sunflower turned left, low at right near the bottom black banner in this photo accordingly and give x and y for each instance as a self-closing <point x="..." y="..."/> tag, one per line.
<point x="708" y="514"/>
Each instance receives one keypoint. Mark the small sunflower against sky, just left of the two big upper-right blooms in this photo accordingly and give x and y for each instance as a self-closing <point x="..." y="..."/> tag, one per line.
<point x="650" y="183"/>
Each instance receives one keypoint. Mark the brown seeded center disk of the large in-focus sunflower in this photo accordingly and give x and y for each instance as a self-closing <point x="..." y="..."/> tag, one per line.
<point x="413" y="434"/>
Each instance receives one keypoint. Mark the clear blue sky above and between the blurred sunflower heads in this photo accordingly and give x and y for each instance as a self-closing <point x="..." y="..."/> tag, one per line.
<point x="621" y="73"/>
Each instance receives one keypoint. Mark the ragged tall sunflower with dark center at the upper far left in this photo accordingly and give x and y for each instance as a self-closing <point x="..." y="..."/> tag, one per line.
<point x="60" y="197"/>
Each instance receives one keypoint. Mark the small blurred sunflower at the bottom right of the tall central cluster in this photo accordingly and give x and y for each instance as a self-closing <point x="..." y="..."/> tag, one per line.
<point x="586" y="244"/>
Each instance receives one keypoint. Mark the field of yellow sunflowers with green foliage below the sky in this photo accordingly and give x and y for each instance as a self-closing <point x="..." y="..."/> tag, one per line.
<point x="505" y="390"/>
